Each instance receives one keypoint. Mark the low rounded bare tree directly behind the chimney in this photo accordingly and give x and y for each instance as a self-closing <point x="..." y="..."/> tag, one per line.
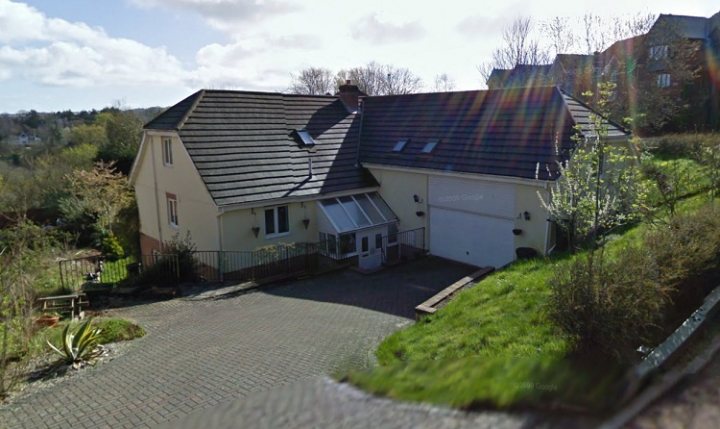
<point x="382" y="79"/>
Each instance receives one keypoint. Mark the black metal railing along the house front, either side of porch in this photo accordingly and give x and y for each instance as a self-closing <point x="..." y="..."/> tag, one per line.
<point x="268" y="263"/>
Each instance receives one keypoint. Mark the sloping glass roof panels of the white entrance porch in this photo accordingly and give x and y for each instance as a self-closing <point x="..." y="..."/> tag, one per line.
<point x="357" y="211"/>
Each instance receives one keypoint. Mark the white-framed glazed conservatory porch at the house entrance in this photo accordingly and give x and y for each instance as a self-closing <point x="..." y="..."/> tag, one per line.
<point x="361" y="225"/>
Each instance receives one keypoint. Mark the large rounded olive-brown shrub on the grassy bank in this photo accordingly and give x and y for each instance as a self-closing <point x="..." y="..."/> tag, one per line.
<point x="609" y="306"/>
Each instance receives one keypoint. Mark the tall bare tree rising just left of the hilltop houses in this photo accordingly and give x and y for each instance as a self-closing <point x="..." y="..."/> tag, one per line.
<point x="520" y="46"/>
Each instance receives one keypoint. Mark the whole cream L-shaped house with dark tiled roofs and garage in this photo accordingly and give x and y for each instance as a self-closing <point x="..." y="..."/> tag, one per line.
<point x="460" y="171"/>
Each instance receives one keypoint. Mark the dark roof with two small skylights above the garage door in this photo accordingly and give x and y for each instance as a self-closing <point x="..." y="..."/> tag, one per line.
<point x="507" y="132"/>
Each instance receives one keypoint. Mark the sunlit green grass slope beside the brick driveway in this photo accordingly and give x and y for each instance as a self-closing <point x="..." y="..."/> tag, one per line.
<point x="494" y="345"/>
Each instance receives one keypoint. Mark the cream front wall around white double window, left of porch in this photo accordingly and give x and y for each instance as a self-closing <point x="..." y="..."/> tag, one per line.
<point x="237" y="227"/>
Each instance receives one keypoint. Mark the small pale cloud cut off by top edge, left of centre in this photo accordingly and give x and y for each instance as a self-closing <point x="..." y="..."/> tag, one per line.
<point x="226" y="14"/>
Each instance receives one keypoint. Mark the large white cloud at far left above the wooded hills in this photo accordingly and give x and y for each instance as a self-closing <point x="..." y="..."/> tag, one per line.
<point x="53" y="51"/>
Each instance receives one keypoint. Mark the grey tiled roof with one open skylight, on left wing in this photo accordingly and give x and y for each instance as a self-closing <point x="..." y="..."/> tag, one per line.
<point x="244" y="146"/>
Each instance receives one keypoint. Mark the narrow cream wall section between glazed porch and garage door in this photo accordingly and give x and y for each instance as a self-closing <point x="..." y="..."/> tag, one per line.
<point x="397" y="188"/>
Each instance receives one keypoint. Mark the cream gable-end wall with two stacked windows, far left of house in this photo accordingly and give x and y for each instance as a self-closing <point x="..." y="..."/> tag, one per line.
<point x="197" y="212"/>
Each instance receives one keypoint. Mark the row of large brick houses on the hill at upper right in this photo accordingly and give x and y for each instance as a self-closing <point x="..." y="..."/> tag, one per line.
<point x="676" y="63"/>
